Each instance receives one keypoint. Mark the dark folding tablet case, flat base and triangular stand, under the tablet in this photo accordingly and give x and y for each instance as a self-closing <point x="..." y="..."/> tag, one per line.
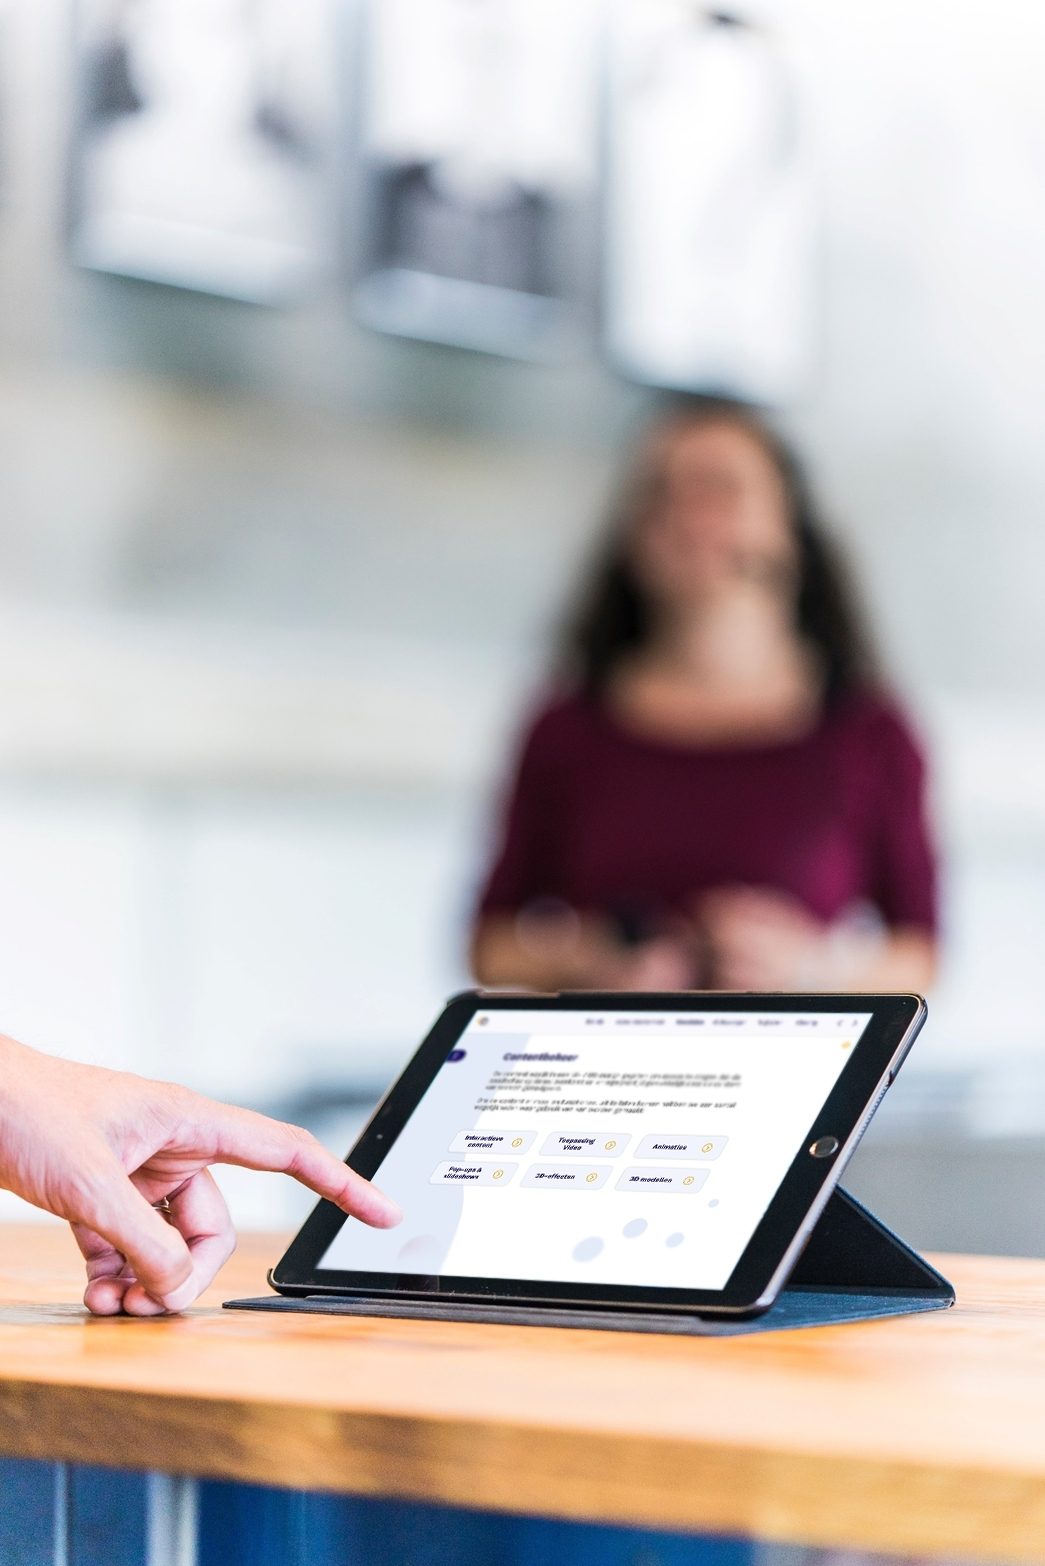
<point x="853" y="1269"/>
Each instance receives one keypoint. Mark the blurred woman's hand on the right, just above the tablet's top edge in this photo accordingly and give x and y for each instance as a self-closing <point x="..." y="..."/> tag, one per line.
<point x="759" y="939"/>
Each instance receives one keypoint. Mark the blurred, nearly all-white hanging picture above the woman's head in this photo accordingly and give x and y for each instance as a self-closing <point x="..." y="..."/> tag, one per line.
<point x="711" y="242"/>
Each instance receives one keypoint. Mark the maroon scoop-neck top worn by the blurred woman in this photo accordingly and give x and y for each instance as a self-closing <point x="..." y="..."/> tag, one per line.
<point x="615" y="823"/>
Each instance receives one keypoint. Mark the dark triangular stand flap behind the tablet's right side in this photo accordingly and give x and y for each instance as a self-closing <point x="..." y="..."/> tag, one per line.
<point x="852" y="1250"/>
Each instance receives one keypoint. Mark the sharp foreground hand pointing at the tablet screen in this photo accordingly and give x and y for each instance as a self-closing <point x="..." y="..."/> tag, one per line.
<point x="103" y="1149"/>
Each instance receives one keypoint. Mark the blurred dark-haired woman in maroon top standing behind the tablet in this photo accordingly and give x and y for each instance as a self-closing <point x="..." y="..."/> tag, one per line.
<point x="720" y="793"/>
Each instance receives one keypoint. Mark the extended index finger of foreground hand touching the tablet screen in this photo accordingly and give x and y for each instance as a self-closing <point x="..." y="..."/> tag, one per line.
<point x="255" y="1142"/>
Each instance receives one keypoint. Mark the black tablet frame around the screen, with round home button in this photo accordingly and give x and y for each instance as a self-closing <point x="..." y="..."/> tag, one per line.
<point x="778" y="1239"/>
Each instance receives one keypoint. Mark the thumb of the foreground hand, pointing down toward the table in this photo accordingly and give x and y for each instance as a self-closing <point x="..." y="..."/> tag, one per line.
<point x="114" y="1208"/>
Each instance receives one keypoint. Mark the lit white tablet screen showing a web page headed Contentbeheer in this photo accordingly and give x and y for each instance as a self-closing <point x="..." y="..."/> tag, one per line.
<point x="606" y="1149"/>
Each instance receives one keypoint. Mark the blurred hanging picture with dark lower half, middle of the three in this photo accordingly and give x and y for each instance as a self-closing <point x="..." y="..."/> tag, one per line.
<point x="477" y="142"/>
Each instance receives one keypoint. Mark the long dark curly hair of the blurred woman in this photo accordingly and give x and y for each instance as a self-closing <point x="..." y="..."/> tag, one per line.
<point x="615" y="618"/>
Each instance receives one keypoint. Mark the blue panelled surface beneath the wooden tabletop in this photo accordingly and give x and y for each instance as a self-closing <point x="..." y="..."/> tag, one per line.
<point x="52" y="1515"/>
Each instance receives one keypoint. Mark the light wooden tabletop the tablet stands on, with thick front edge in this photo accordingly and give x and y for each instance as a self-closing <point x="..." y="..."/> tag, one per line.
<point x="920" y="1435"/>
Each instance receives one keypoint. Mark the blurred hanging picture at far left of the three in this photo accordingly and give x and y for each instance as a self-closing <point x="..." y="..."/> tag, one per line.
<point x="203" y="143"/>
